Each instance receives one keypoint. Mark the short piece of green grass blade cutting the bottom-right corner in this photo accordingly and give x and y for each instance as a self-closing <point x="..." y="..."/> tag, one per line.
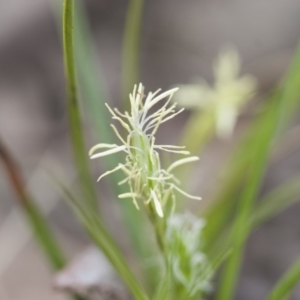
<point x="286" y="284"/>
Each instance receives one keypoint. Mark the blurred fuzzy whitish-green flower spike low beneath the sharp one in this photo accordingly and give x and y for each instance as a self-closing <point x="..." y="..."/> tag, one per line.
<point x="190" y="266"/>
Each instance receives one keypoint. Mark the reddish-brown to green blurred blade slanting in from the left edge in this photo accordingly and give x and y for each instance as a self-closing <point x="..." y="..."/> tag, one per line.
<point x="43" y="233"/>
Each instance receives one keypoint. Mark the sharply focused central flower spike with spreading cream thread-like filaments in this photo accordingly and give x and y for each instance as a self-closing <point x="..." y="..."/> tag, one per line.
<point x="146" y="179"/>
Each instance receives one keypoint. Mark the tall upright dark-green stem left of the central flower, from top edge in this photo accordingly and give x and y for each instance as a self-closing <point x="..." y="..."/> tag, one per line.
<point x="76" y="132"/>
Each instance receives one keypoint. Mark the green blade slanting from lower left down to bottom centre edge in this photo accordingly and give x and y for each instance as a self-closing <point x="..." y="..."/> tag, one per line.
<point x="104" y="242"/>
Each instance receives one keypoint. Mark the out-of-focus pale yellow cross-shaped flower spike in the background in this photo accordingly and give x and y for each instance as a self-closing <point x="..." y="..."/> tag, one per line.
<point x="226" y="98"/>
